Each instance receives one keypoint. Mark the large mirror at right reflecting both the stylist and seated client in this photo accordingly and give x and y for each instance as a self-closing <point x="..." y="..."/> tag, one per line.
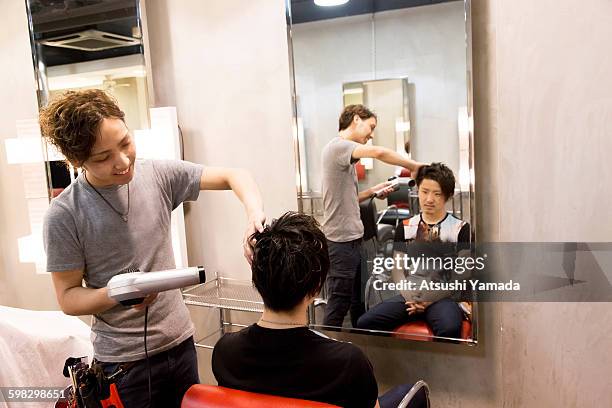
<point x="382" y="89"/>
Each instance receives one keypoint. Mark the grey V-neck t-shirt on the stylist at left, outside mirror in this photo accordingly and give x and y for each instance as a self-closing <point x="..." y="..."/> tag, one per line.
<point x="81" y="231"/>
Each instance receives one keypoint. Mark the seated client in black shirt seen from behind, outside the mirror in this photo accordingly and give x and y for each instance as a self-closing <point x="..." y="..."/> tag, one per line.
<point x="280" y="355"/>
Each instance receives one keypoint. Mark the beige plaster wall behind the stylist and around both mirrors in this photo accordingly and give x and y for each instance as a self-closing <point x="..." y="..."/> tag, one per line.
<point x="541" y="74"/>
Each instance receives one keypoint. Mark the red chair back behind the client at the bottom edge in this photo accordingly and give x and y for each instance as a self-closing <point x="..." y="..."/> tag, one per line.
<point x="212" y="396"/>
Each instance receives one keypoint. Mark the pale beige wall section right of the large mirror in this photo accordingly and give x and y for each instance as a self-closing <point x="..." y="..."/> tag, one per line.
<point x="554" y="131"/>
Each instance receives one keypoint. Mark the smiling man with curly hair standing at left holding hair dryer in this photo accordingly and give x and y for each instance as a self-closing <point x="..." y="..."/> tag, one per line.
<point x="115" y="217"/>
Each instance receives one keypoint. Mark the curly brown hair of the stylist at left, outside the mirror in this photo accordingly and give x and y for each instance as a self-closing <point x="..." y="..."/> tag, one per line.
<point x="72" y="122"/>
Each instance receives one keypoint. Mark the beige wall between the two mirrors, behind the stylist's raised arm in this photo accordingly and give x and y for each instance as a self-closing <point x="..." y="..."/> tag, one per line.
<point x="224" y="64"/>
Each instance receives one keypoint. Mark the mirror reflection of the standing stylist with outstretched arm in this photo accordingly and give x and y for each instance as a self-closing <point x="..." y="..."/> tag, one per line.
<point x="342" y="222"/>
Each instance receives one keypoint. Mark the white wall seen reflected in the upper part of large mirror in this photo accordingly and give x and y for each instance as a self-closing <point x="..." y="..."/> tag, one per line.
<point x="424" y="44"/>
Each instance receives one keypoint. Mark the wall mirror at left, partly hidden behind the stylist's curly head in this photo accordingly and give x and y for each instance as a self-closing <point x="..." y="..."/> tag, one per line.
<point x="91" y="44"/>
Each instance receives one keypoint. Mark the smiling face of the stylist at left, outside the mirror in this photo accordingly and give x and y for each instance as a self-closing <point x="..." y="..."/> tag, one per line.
<point x="112" y="158"/>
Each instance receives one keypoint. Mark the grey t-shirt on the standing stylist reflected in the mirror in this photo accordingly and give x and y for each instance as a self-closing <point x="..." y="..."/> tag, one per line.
<point x="342" y="220"/>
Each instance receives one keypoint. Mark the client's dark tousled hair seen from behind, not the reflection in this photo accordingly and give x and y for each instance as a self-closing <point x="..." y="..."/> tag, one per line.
<point x="290" y="261"/>
